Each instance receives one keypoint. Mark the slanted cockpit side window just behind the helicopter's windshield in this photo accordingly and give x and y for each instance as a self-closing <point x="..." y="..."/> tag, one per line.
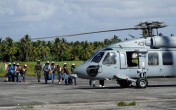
<point x="110" y="58"/>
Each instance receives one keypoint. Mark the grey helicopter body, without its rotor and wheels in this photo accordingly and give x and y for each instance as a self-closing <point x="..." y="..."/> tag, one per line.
<point x="154" y="56"/>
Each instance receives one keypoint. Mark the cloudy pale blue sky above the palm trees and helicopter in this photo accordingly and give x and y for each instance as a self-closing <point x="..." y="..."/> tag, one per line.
<point x="47" y="18"/>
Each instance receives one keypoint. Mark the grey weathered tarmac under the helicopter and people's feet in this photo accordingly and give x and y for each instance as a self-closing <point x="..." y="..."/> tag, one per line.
<point x="32" y="95"/>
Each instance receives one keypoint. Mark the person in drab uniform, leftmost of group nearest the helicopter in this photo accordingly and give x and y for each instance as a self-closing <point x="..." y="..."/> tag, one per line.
<point x="37" y="70"/>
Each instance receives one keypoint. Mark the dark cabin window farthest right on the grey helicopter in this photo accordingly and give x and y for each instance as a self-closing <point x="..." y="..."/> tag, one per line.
<point x="167" y="58"/>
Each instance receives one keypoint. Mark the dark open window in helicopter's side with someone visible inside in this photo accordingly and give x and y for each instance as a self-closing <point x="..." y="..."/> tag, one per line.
<point x="132" y="59"/>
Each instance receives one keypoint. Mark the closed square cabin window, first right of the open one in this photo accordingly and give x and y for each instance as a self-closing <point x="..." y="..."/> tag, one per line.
<point x="153" y="59"/>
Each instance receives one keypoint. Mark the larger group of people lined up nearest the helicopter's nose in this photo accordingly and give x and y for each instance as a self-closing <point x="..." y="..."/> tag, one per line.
<point x="50" y="70"/>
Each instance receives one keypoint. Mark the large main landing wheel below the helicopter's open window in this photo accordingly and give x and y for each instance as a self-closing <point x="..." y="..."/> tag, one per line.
<point x="142" y="83"/>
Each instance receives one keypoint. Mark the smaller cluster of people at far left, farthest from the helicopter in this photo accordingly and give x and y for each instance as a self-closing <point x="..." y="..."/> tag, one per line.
<point x="15" y="72"/>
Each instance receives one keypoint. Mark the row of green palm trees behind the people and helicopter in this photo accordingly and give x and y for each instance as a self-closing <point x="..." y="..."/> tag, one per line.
<point x="58" y="49"/>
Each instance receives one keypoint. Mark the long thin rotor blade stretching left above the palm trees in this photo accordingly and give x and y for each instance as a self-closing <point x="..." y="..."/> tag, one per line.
<point x="69" y="35"/>
